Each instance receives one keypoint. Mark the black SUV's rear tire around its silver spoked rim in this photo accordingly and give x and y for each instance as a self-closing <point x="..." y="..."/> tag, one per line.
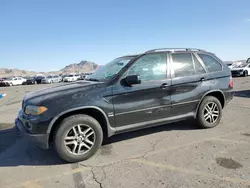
<point x="203" y="113"/>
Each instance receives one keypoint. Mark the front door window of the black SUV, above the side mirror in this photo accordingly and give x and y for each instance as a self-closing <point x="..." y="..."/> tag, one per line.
<point x="150" y="67"/>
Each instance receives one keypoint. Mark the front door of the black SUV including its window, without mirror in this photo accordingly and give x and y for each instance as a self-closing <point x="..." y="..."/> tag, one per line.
<point x="145" y="103"/>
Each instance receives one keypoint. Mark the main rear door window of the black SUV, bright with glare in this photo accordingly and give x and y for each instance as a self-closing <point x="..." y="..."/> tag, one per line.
<point x="183" y="64"/>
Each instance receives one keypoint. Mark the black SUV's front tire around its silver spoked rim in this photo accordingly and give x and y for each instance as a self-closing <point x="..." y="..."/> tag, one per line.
<point x="66" y="128"/>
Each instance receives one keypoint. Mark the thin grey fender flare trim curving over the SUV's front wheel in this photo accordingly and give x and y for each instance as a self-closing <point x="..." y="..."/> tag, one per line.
<point x="110" y="130"/>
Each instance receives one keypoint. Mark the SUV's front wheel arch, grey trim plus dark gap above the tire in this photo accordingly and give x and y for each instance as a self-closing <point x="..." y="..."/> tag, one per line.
<point x="92" y="111"/>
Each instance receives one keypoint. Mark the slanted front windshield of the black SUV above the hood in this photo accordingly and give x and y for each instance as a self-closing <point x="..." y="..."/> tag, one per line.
<point x="109" y="70"/>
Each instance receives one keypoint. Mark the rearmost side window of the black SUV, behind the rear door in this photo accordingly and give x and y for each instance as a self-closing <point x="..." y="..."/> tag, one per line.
<point x="212" y="64"/>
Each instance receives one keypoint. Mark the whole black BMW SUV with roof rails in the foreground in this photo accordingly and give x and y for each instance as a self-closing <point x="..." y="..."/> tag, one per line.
<point x="132" y="92"/>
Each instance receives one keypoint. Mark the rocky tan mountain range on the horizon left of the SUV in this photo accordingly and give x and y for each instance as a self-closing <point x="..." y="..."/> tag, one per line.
<point x="82" y="67"/>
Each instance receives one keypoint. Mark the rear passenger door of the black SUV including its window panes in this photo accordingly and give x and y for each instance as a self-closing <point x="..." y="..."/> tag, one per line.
<point x="190" y="81"/>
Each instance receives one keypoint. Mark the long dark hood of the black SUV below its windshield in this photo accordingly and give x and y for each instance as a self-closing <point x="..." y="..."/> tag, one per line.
<point x="61" y="90"/>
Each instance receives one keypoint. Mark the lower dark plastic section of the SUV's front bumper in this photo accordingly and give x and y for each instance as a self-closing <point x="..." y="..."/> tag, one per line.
<point x="42" y="140"/>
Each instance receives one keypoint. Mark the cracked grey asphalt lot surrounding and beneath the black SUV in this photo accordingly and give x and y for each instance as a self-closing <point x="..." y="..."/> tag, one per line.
<point x="174" y="155"/>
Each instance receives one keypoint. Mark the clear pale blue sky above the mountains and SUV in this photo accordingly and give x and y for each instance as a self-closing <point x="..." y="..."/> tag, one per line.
<point x="46" y="35"/>
